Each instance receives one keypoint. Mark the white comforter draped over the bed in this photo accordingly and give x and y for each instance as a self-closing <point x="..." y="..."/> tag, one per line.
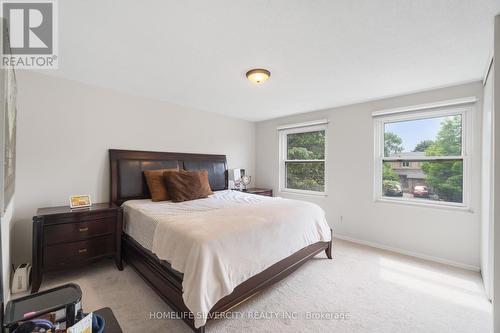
<point x="221" y="241"/>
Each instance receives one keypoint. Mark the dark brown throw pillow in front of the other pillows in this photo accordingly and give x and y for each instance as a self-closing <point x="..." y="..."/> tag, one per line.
<point x="187" y="185"/>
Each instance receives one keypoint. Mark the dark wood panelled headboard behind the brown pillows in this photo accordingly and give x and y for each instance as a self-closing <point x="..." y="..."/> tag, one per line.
<point x="127" y="166"/>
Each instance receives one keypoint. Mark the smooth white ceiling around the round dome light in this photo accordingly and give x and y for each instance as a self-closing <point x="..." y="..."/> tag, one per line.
<point x="321" y="53"/>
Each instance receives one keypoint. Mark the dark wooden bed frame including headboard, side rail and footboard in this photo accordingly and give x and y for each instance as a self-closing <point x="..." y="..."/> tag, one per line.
<point x="127" y="183"/>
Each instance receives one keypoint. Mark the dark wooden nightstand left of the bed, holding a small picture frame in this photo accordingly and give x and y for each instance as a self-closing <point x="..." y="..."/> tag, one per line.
<point x="64" y="238"/>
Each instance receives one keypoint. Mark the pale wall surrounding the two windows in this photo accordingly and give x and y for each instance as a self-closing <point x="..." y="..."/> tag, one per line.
<point x="443" y="234"/>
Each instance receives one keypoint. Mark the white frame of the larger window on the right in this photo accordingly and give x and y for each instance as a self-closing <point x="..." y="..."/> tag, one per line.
<point x="465" y="109"/>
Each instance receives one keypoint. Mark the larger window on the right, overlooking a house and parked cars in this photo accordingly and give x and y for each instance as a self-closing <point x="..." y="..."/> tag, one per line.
<point x="421" y="155"/>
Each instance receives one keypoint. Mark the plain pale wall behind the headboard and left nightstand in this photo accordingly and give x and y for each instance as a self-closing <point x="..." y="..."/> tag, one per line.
<point x="65" y="129"/>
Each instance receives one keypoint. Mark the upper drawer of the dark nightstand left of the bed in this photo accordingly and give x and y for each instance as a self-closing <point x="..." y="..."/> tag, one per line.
<point x="68" y="232"/>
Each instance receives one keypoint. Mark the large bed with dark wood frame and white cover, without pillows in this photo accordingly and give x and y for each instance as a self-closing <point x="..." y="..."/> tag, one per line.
<point x="152" y="230"/>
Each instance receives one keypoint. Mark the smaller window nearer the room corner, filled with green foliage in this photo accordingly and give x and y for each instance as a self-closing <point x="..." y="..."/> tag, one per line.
<point x="303" y="158"/>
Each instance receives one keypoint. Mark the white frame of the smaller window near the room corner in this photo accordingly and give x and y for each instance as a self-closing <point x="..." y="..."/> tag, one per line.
<point x="283" y="131"/>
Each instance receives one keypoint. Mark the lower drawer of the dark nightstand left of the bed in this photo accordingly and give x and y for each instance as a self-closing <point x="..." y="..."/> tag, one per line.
<point x="57" y="256"/>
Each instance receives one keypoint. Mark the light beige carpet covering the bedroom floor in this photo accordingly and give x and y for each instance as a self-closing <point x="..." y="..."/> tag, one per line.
<point x="361" y="290"/>
